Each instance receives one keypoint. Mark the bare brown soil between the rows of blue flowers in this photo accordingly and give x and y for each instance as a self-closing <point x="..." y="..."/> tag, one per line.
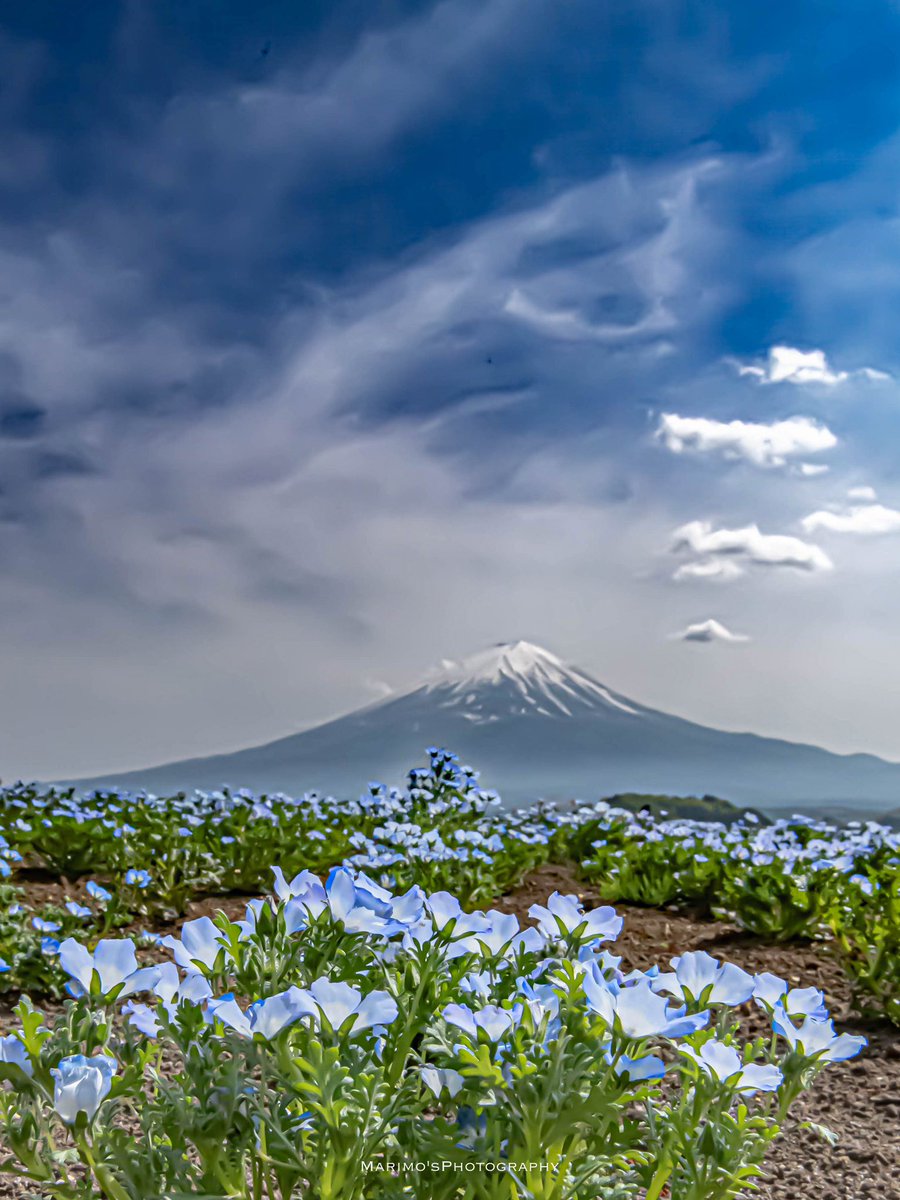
<point x="859" y="1100"/>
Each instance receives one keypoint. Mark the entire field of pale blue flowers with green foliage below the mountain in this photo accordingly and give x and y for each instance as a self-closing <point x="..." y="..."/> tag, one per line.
<point x="370" y="1023"/>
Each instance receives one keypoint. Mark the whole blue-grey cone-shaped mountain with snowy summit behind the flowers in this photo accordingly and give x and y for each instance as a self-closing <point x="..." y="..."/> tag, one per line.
<point x="536" y="728"/>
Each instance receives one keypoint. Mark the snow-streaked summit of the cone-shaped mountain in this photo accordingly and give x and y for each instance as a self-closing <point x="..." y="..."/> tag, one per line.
<point x="538" y="680"/>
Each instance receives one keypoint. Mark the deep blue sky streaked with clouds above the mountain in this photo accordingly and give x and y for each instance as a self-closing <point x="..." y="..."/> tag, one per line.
<point x="338" y="339"/>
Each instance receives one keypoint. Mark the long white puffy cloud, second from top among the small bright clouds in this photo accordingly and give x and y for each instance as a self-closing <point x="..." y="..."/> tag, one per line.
<point x="765" y="446"/>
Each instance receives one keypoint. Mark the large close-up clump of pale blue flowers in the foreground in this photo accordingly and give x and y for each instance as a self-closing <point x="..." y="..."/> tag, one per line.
<point x="347" y="1041"/>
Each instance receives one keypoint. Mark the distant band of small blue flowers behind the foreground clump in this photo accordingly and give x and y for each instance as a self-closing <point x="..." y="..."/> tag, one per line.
<point x="148" y="857"/>
